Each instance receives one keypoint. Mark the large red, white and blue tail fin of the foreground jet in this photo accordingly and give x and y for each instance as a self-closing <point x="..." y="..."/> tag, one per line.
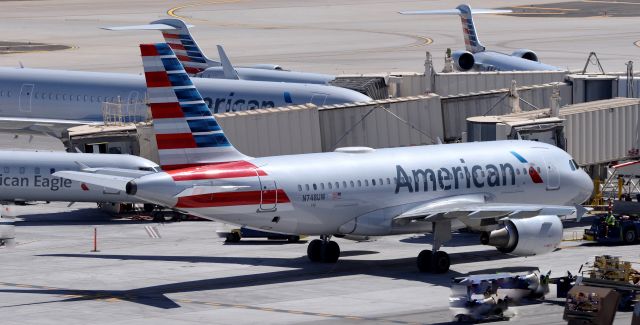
<point x="186" y="132"/>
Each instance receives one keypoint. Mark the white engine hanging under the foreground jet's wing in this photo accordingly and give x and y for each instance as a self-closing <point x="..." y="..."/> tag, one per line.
<point x="526" y="237"/>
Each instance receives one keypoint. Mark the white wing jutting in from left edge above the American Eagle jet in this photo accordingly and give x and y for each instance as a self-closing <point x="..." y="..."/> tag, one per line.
<point x="52" y="127"/>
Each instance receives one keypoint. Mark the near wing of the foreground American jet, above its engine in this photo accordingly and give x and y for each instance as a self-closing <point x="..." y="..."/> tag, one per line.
<point x="476" y="207"/>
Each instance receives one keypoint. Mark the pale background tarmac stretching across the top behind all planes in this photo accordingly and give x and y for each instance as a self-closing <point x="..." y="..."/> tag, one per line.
<point x="355" y="36"/>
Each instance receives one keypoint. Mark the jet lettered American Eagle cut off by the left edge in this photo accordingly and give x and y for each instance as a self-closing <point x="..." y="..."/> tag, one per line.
<point x="26" y="176"/>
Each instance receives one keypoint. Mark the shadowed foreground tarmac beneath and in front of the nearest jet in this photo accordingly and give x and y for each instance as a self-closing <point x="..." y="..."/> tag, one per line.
<point x="189" y="275"/>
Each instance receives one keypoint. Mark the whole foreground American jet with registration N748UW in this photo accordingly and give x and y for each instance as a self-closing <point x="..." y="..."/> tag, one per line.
<point x="521" y="185"/>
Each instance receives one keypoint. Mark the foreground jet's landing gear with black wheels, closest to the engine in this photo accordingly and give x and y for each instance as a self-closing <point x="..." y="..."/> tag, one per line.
<point x="436" y="261"/>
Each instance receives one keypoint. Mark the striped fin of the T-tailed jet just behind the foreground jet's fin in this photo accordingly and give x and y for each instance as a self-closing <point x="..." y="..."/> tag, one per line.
<point x="185" y="47"/>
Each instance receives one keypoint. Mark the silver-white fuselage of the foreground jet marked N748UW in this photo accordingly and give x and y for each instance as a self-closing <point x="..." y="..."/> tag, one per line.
<point x="322" y="193"/>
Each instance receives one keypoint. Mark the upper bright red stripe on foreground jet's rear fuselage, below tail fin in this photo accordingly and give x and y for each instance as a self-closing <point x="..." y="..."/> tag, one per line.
<point x="232" y="169"/>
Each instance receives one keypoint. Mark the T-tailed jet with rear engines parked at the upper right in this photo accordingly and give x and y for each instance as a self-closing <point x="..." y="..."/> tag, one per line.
<point x="476" y="56"/>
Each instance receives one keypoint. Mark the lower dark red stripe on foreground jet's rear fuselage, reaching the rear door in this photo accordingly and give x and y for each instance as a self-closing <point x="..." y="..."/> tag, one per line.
<point x="233" y="199"/>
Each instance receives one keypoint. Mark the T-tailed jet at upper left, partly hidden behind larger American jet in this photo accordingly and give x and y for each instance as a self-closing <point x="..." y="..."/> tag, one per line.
<point x="197" y="64"/>
